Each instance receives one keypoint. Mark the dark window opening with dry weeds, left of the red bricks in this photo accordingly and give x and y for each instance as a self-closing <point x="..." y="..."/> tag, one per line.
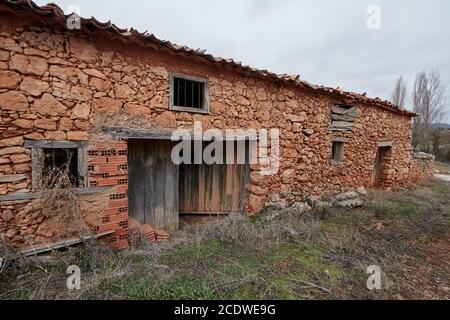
<point x="57" y="161"/>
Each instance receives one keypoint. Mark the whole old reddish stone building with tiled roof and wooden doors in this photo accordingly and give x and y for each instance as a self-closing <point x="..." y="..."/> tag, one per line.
<point x="103" y="100"/>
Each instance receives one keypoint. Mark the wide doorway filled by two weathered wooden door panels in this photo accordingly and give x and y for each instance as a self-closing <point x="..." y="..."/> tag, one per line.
<point x="159" y="191"/>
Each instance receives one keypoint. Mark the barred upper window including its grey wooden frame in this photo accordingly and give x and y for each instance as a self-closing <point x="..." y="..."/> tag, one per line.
<point x="188" y="94"/>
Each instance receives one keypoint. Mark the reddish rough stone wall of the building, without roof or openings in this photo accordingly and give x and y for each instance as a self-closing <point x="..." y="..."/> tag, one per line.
<point x="55" y="85"/>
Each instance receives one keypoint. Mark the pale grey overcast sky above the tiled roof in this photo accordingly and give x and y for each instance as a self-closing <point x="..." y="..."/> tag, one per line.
<point x="324" y="41"/>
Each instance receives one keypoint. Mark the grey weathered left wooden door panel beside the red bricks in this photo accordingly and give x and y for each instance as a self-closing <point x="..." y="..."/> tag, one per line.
<point x="153" y="183"/>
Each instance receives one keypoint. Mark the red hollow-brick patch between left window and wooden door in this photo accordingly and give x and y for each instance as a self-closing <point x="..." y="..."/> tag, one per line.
<point x="107" y="166"/>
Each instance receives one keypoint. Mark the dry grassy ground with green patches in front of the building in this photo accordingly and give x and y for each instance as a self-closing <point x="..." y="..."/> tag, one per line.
<point x="286" y="254"/>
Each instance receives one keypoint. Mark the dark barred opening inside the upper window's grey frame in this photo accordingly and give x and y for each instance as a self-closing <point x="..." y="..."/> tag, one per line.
<point x="188" y="93"/>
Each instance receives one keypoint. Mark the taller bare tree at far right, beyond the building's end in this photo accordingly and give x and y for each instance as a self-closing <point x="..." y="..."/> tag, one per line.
<point x="428" y="99"/>
